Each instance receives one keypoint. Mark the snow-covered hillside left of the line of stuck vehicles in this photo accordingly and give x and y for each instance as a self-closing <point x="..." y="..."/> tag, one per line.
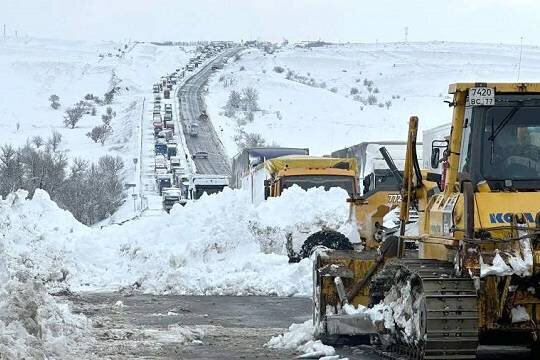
<point x="33" y="69"/>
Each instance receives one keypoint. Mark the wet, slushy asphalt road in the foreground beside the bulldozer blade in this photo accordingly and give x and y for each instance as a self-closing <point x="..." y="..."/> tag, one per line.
<point x="189" y="327"/>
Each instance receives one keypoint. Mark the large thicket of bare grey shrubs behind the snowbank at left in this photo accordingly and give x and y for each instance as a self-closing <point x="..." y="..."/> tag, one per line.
<point x="90" y="192"/>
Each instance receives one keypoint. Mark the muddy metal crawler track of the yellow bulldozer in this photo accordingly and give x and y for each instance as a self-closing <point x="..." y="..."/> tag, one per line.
<point x="448" y="314"/>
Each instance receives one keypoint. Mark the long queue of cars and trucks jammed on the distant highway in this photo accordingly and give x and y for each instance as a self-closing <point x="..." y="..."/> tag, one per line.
<point x="175" y="169"/>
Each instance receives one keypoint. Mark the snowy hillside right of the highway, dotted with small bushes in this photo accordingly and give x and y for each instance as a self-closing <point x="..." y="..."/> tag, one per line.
<point x="317" y="97"/>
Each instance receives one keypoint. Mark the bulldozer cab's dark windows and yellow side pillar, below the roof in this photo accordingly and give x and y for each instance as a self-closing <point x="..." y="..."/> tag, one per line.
<point x="507" y="153"/>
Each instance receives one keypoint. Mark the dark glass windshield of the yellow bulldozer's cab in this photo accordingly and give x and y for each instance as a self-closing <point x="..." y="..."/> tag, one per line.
<point x="511" y="143"/>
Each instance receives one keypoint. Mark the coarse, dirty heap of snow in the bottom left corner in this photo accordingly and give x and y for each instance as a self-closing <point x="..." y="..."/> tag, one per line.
<point x="33" y="324"/>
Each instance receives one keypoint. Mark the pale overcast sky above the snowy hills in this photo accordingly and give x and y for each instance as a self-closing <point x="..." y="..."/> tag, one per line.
<point x="332" y="20"/>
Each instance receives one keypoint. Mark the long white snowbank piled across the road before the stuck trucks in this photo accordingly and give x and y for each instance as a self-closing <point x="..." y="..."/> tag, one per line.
<point x="212" y="246"/>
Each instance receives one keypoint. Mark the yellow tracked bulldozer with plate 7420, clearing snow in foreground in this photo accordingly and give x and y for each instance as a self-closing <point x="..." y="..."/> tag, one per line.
<point x="475" y="277"/>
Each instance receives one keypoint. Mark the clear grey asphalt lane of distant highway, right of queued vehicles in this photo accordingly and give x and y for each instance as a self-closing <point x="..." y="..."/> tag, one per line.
<point x="191" y="100"/>
